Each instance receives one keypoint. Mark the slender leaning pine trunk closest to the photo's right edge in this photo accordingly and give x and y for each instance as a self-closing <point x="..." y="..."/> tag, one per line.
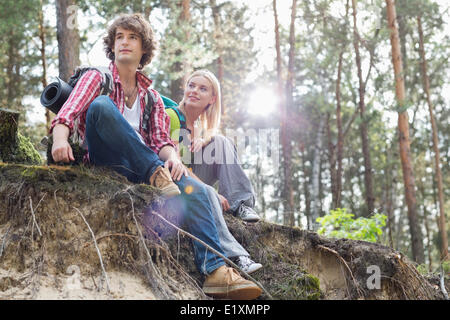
<point x="438" y="173"/>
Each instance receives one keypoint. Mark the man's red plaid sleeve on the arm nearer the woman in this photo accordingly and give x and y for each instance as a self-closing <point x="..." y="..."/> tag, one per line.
<point x="160" y="126"/>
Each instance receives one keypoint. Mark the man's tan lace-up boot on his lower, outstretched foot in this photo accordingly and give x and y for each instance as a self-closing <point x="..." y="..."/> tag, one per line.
<point x="227" y="283"/>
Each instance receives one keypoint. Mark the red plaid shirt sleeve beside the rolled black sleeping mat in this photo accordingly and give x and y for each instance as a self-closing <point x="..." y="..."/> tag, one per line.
<point x="85" y="91"/>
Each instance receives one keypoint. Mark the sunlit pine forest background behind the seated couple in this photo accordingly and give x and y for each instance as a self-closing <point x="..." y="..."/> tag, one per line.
<point x="317" y="75"/>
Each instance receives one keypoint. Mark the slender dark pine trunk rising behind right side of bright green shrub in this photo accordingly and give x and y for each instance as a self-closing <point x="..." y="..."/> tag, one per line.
<point x="363" y="127"/>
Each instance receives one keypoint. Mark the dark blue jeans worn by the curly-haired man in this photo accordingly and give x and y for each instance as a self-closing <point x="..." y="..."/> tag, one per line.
<point x="113" y="142"/>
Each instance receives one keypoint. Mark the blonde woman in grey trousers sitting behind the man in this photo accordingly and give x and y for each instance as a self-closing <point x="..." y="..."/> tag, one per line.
<point x="214" y="158"/>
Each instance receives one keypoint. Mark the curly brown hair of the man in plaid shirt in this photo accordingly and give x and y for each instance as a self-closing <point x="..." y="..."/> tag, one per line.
<point x="136" y="23"/>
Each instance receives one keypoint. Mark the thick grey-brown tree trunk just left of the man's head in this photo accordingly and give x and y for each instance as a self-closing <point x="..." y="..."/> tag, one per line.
<point x="68" y="38"/>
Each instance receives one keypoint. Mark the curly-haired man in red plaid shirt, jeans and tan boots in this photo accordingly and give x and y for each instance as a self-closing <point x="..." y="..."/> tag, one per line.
<point x="113" y="129"/>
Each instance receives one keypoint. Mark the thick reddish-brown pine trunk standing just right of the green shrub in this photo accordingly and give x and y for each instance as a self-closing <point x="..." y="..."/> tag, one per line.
<point x="404" y="141"/>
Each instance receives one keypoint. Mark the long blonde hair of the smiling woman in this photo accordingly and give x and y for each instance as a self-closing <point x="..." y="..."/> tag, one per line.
<point x="210" y="118"/>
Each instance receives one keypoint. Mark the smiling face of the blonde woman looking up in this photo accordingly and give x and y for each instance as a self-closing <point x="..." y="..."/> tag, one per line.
<point x="198" y="93"/>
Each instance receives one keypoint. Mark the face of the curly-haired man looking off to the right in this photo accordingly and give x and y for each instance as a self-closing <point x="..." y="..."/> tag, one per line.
<point x="127" y="46"/>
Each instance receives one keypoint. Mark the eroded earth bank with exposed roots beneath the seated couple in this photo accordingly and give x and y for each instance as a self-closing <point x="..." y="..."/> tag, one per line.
<point x="50" y="216"/>
